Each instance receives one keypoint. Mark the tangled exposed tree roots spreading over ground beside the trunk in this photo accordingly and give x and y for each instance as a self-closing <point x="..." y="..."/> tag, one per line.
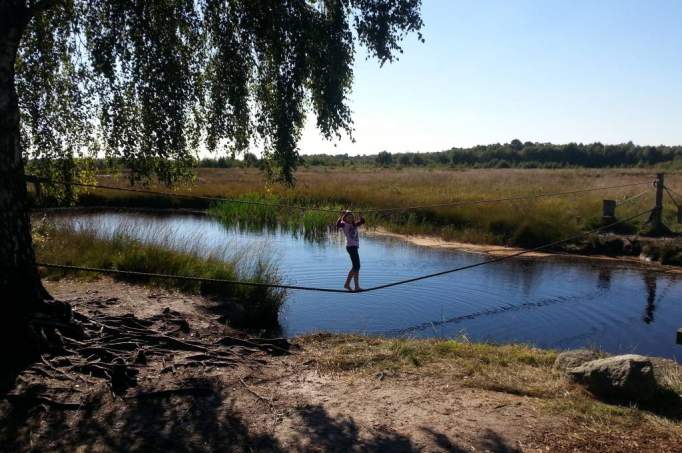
<point x="110" y="350"/>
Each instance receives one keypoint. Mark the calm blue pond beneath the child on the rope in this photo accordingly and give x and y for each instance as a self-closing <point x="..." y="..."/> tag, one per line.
<point x="548" y="302"/>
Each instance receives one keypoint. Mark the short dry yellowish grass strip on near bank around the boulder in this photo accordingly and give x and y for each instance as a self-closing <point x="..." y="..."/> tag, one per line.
<point x="514" y="369"/>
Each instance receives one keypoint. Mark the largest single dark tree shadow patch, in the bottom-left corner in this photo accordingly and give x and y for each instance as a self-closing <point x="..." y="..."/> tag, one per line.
<point x="194" y="420"/>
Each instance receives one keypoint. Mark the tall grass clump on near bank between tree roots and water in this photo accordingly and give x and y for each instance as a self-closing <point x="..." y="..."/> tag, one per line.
<point x="158" y="253"/>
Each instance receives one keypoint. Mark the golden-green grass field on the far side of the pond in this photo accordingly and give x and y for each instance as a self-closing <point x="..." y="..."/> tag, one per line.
<point x="521" y="223"/>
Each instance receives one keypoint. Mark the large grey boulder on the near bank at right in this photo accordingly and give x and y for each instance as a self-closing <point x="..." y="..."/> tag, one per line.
<point x="625" y="377"/>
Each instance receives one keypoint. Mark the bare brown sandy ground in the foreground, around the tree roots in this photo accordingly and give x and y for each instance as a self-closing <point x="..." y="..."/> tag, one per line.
<point x="271" y="403"/>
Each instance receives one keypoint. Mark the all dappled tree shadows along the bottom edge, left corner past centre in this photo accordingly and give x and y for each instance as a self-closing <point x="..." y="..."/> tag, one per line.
<point x="197" y="416"/>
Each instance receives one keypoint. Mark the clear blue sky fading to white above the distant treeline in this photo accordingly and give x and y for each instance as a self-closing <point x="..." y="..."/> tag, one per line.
<point x="539" y="70"/>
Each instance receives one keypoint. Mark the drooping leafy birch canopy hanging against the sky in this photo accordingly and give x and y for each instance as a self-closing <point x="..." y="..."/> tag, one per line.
<point x="152" y="82"/>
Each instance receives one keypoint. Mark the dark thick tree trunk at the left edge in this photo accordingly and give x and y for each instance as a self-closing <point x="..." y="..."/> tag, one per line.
<point x="21" y="291"/>
